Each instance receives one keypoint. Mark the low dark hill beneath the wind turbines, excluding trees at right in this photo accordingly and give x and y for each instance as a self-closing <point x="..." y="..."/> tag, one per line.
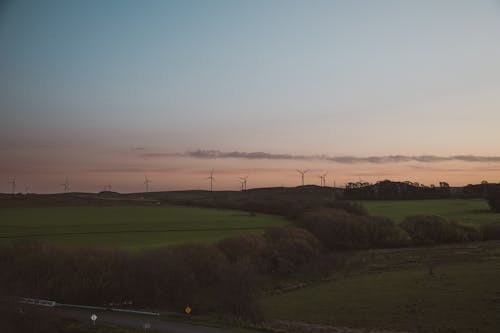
<point x="274" y="200"/>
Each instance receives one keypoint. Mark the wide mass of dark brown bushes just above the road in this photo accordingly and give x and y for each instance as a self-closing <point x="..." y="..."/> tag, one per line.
<point x="196" y="275"/>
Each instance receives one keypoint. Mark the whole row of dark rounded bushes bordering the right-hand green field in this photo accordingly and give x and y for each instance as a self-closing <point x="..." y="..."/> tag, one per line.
<point x="339" y="230"/>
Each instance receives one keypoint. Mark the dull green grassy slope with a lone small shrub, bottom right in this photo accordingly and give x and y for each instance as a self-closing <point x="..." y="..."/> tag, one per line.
<point x="395" y="291"/>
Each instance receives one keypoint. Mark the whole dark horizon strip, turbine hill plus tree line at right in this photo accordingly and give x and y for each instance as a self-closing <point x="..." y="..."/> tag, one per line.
<point x="274" y="200"/>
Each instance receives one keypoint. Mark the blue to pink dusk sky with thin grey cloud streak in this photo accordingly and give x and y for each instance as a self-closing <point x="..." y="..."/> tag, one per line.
<point x="108" y="92"/>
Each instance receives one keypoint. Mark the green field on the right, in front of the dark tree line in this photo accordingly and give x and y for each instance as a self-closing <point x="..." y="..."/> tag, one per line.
<point x="471" y="212"/>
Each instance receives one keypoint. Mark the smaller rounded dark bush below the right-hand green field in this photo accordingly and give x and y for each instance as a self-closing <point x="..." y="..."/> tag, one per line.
<point x="431" y="230"/>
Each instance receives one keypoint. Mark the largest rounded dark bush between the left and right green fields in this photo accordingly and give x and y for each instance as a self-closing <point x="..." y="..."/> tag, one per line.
<point x="339" y="230"/>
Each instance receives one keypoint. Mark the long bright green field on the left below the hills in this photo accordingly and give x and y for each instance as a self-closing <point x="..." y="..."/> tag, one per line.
<point x="127" y="227"/>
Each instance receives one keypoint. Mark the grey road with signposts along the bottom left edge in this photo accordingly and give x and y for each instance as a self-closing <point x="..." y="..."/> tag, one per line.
<point x="136" y="322"/>
